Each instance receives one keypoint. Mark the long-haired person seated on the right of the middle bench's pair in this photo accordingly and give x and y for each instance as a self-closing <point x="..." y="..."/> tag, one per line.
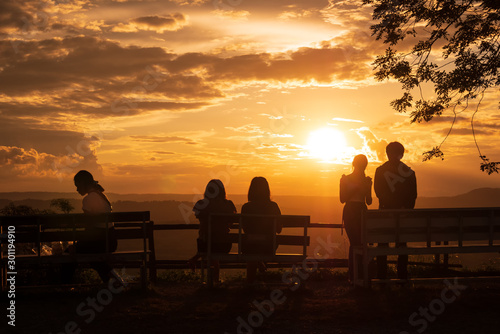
<point x="259" y="232"/>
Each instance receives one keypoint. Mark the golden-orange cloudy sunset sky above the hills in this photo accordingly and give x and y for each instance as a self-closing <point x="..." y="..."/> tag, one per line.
<point x="162" y="96"/>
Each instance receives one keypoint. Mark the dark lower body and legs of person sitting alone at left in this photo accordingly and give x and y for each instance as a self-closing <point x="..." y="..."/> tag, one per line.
<point x="92" y="242"/>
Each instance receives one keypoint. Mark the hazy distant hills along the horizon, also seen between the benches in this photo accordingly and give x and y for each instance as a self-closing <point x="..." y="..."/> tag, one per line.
<point x="175" y="208"/>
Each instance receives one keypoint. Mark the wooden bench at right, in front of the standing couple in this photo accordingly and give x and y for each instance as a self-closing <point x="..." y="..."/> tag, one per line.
<point x="426" y="231"/>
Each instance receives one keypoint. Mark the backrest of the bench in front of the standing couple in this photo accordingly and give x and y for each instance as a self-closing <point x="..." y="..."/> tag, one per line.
<point x="432" y="225"/>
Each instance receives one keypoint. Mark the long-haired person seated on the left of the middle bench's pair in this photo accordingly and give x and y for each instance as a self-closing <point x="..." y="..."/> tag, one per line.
<point x="214" y="201"/>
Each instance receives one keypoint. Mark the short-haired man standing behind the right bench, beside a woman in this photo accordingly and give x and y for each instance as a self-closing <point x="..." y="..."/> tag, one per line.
<point x="396" y="188"/>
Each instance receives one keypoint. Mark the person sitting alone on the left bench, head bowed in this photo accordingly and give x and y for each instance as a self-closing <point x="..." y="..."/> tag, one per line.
<point x="94" y="238"/>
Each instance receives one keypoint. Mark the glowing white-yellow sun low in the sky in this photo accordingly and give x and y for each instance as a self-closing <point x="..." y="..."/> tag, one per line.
<point x="326" y="144"/>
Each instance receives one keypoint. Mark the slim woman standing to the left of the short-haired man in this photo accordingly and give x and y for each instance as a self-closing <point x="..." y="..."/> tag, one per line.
<point x="355" y="192"/>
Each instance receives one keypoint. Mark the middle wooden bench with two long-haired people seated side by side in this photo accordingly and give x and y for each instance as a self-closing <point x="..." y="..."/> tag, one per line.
<point x="286" y="221"/>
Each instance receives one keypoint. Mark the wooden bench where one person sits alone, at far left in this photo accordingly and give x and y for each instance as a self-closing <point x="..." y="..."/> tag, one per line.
<point x="40" y="229"/>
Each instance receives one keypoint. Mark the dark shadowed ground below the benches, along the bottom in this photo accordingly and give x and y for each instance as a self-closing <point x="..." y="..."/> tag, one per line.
<point x="327" y="305"/>
